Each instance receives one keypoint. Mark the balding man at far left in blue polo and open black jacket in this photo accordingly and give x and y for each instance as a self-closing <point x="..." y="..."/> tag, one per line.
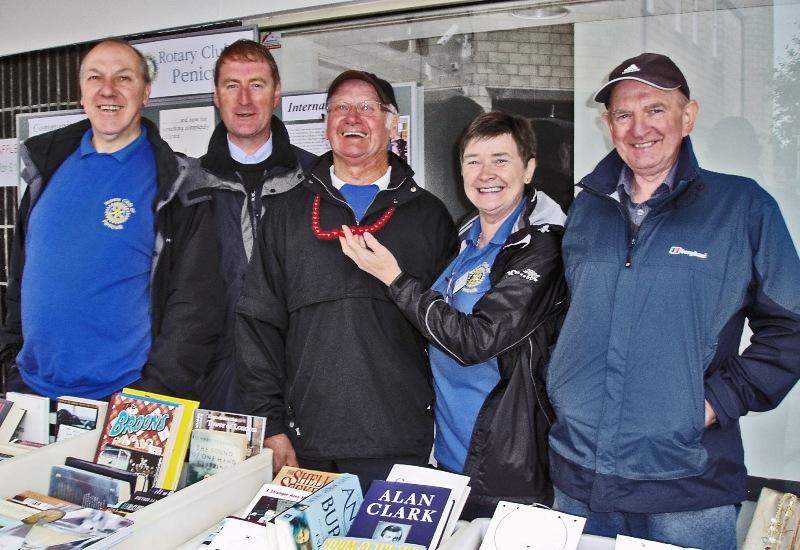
<point x="110" y="282"/>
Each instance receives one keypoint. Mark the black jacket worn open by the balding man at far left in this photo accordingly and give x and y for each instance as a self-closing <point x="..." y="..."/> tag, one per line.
<point x="185" y="287"/>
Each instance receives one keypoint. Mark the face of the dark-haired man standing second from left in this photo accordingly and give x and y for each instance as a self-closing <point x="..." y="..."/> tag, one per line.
<point x="246" y="95"/>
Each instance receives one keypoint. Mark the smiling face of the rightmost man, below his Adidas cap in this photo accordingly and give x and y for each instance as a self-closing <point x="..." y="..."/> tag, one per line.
<point x="647" y="126"/>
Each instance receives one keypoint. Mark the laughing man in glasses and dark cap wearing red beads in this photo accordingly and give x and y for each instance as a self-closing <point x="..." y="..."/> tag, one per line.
<point x="340" y="374"/>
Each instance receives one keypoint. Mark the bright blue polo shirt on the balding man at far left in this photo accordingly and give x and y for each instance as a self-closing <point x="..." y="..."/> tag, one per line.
<point x="86" y="282"/>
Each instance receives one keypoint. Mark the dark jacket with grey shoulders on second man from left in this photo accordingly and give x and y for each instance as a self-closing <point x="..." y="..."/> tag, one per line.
<point x="237" y="215"/>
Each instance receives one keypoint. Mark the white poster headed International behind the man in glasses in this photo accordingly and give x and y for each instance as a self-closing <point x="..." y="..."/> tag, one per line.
<point x="303" y="115"/>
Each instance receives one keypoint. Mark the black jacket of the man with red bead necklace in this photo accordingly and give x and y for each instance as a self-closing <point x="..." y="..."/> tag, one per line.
<point x="324" y="353"/>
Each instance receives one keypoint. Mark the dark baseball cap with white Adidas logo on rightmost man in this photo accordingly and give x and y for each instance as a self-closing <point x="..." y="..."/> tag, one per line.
<point x="652" y="69"/>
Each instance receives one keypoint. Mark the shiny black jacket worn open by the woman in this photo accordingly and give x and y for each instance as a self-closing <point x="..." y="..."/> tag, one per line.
<point x="515" y="321"/>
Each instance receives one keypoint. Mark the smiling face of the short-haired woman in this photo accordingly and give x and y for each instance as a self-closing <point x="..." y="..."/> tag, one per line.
<point x="495" y="176"/>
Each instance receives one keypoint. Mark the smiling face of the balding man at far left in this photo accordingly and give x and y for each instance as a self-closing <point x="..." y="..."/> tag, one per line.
<point x="113" y="94"/>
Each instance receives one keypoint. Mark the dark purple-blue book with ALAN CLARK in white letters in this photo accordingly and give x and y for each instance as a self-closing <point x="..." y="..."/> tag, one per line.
<point x="403" y="512"/>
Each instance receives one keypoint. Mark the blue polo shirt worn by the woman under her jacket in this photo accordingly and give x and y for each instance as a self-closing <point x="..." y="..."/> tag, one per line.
<point x="461" y="390"/>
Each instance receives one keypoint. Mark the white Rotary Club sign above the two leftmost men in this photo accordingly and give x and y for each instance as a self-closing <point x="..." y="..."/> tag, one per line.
<point x="183" y="65"/>
